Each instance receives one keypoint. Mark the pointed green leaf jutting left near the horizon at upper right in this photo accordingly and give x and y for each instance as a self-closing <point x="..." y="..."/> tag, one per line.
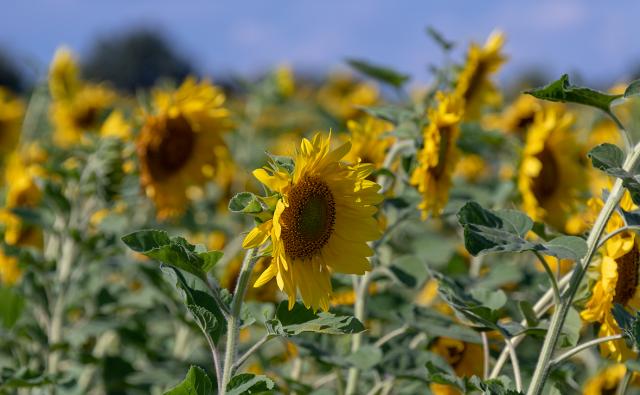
<point x="562" y="91"/>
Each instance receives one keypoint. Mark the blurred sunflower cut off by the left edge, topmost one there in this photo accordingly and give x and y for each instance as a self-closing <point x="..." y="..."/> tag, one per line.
<point x="11" y="114"/>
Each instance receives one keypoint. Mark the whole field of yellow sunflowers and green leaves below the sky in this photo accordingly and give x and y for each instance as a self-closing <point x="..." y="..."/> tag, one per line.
<point x="345" y="235"/>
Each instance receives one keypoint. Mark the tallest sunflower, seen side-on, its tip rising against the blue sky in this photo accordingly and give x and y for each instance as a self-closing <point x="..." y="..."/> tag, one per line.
<point x="474" y="84"/>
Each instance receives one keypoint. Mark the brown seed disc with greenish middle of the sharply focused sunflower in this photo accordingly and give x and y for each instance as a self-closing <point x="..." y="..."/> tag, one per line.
<point x="307" y="224"/>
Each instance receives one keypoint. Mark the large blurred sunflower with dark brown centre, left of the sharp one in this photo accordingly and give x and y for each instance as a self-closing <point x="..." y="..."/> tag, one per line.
<point x="180" y="144"/>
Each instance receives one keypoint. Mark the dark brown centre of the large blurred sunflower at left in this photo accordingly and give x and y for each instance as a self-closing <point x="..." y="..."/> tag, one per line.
<point x="173" y="150"/>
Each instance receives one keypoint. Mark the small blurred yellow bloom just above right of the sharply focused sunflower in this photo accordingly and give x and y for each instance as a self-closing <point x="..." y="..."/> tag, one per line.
<point x="368" y="142"/>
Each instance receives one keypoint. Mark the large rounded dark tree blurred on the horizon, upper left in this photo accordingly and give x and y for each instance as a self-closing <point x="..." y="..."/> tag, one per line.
<point x="137" y="59"/>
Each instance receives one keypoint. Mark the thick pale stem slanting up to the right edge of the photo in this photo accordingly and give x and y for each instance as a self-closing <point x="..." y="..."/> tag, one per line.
<point x="559" y="315"/>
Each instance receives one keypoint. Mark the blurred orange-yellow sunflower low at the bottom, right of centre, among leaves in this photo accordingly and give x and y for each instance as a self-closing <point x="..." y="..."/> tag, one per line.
<point x="465" y="359"/>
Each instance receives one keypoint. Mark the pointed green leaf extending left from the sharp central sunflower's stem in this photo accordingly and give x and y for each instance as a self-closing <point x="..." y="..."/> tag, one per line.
<point x="174" y="251"/>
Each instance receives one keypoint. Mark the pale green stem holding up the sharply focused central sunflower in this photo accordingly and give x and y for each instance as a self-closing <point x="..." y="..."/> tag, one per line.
<point x="233" y="323"/>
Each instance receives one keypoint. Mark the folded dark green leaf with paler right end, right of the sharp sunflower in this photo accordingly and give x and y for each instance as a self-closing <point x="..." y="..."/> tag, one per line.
<point x="505" y="231"/>
